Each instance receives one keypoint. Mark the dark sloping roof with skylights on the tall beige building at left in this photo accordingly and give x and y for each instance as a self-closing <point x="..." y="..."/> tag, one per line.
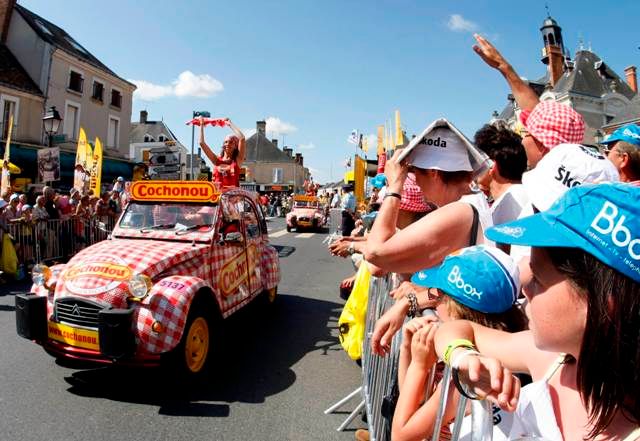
<point x="59" y="38"/>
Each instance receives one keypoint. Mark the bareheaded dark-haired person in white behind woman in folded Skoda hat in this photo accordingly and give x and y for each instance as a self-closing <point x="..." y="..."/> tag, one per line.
<point x="503" y="181"/>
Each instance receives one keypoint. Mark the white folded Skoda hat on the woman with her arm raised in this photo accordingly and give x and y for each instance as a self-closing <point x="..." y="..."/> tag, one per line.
<point x="441" y="146"/>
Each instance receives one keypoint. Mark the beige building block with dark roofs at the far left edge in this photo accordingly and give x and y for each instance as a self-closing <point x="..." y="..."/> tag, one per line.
<point x="42" y="67"/>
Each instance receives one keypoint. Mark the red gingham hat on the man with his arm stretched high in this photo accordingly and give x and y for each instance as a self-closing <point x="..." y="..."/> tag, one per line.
<point x="553" y="123"/>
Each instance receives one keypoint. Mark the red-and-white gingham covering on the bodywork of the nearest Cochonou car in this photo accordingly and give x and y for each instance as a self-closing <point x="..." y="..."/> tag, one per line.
<point x="179" y="271"/>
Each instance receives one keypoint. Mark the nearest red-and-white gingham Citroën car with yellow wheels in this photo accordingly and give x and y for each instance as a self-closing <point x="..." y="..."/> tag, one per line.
<point x="159" y="287"/>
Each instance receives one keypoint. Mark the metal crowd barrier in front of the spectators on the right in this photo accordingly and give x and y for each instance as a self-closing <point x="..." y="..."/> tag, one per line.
<point x="379" y="377"/>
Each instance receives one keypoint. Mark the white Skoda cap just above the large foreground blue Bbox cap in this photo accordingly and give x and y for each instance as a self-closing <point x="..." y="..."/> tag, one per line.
<point x="565" y="167"/>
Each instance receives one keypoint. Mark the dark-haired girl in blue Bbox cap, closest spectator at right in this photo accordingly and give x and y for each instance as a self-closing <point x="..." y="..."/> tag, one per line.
<point x="583" y="346"/>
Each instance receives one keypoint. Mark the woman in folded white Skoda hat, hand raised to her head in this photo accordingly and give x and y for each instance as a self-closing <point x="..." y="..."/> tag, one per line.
<point x="443" y="174"/>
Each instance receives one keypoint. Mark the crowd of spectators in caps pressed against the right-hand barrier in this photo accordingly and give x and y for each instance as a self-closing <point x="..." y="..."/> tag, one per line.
<point x="548" y="226"/>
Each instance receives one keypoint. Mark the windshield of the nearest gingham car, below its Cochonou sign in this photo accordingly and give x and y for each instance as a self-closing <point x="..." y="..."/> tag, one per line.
<point x="168" y="217"/>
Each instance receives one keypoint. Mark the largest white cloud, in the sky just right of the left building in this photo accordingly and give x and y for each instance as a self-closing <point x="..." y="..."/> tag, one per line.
<point x="187" y="84"/>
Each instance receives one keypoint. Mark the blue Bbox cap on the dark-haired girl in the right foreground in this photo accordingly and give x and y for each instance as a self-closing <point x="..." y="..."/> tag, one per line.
<point x="600" y="219"/>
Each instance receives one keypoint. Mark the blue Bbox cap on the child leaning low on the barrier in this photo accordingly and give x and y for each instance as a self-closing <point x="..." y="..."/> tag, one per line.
<point x="482" y="278"/>
